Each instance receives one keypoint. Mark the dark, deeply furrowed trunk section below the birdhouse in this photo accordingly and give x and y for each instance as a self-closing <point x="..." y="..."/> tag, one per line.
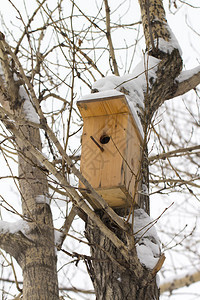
<point x="112" y="276"/>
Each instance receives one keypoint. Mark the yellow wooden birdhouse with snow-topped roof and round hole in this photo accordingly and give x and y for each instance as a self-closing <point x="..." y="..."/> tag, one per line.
<point x="111" y="148"/>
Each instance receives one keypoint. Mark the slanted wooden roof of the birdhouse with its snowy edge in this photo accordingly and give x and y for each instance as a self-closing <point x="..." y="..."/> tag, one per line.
<point x="108" y="103"/>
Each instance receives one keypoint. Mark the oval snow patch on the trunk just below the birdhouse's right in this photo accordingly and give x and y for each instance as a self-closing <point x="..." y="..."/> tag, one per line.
<point x="147" y="240"/>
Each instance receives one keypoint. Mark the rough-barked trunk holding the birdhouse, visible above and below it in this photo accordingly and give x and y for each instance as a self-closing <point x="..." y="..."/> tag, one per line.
<point x="112" y="275"/>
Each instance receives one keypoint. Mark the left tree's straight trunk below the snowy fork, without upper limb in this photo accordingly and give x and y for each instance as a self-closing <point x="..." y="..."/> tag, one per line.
<point x="38" y="261"/>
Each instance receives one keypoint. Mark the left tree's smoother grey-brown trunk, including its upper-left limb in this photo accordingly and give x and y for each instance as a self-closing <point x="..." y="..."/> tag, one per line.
<point x="36" y="258"/>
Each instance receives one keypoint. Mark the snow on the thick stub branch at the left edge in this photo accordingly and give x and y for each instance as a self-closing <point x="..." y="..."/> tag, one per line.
<point x="7" y="227"/>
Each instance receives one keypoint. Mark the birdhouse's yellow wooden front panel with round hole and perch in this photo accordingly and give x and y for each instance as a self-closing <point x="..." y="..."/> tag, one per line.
<point x="102" y="163"/>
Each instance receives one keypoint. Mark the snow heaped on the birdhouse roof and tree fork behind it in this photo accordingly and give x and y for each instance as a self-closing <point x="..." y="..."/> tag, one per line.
<point x="134" y="85"/>
